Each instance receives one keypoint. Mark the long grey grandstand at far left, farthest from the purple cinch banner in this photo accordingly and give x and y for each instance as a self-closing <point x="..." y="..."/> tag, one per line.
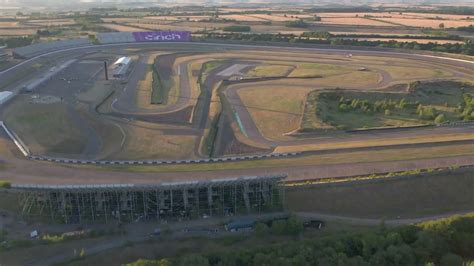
<point x="41" y="48"/>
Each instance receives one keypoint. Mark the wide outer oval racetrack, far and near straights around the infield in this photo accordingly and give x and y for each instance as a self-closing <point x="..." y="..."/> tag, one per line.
<point x="24" y="171"/>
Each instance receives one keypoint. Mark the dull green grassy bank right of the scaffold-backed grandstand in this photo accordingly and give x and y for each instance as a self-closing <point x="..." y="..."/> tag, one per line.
<point x="392" y="198"/>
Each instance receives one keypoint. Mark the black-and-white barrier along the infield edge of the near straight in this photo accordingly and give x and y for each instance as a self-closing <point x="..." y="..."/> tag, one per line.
<point x="162" y="162"/>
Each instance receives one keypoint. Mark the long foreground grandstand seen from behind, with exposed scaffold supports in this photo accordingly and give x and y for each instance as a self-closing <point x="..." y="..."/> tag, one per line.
<point x="133" y="202"/>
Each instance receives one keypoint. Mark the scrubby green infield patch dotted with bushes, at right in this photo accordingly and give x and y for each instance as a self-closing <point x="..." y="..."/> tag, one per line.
<point x="426" y="103"/>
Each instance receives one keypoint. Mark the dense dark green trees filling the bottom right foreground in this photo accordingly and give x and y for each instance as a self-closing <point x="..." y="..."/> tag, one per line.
<point x="445" y="242"/>
